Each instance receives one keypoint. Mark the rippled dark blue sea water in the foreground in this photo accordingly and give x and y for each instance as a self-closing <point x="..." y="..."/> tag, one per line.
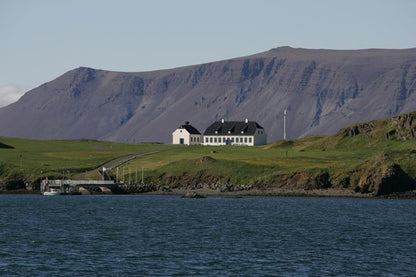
<point x="144" y="235"/>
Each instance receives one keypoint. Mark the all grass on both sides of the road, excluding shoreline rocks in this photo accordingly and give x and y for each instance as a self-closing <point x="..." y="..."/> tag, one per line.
<point x="337" y="154"/>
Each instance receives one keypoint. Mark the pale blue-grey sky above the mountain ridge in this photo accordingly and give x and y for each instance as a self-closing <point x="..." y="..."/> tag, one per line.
<point x="41" y="40"/>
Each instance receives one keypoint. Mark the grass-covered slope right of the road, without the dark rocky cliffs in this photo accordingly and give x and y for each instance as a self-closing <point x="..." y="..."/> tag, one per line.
<point x="246" y="165"/>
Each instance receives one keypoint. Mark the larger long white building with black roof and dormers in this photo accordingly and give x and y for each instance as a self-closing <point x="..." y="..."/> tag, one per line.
<point x="235" y="133"/>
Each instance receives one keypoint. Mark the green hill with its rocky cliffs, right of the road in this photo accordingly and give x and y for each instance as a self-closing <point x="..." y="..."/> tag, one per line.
<point x="367" y="157"/>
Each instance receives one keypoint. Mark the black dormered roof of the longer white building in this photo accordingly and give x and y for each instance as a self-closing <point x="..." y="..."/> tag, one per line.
<point x="235" y="128"/>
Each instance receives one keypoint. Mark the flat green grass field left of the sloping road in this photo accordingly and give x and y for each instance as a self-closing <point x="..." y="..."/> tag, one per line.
<point x="53" y="157"/>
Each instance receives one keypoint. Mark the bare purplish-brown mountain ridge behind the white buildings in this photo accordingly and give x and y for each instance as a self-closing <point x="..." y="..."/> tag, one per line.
<point x="323" y="90"/>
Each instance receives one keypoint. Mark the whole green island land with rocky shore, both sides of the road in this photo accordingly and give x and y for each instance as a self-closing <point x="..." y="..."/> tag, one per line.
<point x="366" y="157"/>
